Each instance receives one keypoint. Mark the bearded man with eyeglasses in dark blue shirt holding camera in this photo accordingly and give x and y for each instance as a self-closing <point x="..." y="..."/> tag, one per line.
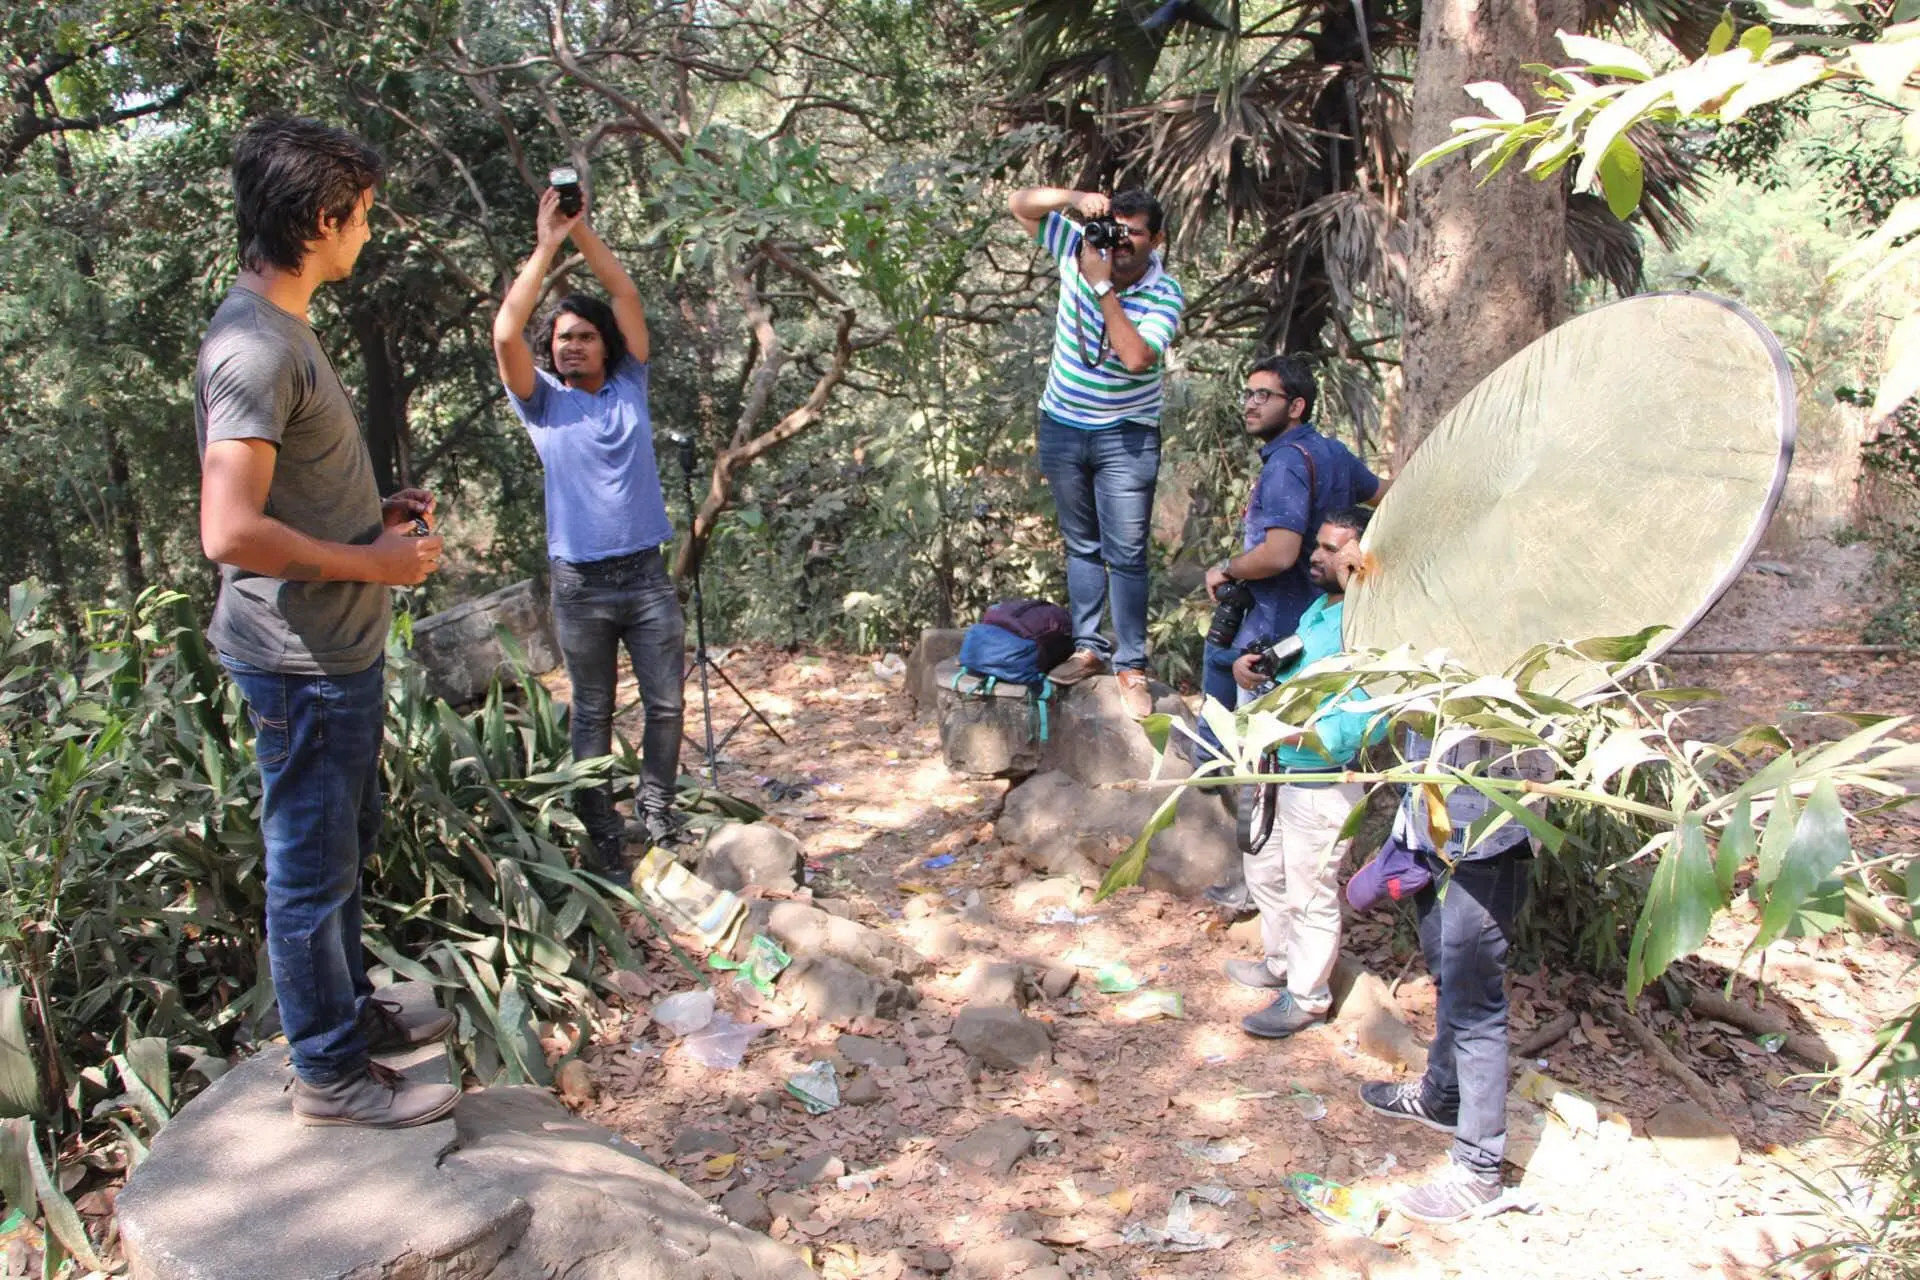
<point x="1305" y="477"/>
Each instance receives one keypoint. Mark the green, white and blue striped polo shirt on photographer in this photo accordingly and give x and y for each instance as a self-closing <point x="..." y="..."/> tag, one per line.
<point x="1088" y="385"/>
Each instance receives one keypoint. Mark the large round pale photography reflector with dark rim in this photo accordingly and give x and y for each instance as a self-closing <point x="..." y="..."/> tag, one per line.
<point x="1616" y="475"/>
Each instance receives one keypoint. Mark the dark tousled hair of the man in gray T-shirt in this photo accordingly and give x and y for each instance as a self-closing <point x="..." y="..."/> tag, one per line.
<point x="293" y="178"/>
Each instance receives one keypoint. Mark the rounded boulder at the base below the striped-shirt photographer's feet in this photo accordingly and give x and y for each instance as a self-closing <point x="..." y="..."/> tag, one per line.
<point x="1065" y="822"/>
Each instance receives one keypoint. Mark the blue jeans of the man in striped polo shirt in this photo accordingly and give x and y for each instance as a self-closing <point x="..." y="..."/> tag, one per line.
<point x="1105" y="492"/>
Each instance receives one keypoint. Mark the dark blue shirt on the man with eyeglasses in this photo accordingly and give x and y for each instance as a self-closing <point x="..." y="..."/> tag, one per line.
<point x="1282" y="502"/>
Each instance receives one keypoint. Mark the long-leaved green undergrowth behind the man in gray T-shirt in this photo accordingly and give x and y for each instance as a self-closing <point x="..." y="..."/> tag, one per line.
<point x="132" y="937"/>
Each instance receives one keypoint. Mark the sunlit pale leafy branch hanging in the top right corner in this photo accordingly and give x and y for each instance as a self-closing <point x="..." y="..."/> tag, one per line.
<point x="1595" y="107"/>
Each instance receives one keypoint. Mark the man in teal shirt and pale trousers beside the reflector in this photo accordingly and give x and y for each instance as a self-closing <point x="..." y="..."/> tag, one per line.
<point x="1293" y="853"/>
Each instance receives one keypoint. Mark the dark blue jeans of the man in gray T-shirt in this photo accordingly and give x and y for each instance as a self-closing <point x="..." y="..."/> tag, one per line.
<point x="318" y="742"/>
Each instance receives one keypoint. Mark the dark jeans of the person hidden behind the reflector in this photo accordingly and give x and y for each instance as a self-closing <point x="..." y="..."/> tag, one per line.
<point x="1466" y="934"/>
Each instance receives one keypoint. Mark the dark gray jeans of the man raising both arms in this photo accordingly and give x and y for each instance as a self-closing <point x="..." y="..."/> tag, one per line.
<point x="598" y="607"/>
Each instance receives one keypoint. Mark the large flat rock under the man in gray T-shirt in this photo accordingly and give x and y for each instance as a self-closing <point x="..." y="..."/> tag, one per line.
<point x="512" y="1189"/>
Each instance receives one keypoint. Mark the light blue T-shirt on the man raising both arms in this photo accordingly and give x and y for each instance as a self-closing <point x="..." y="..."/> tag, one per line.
<point x="604" y="485"/>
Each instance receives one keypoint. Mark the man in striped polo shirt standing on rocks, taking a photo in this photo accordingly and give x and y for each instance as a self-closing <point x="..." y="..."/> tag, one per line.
<point x="1101" y="417"/>
